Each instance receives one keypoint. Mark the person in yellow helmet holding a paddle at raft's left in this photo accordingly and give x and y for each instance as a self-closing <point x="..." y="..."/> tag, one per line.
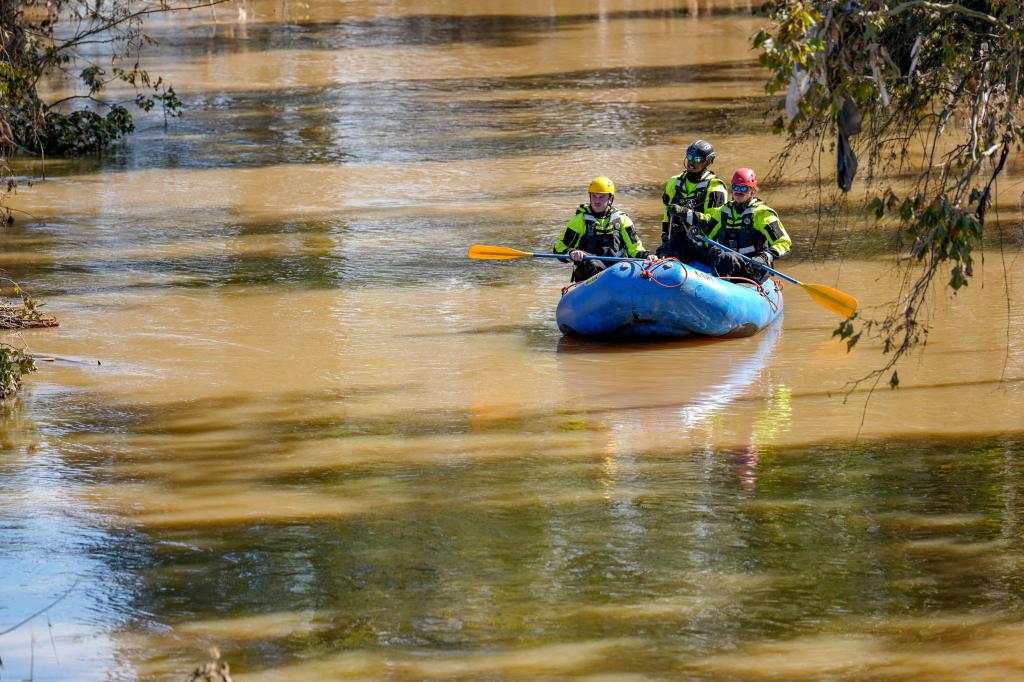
<point x="599" y="230"/>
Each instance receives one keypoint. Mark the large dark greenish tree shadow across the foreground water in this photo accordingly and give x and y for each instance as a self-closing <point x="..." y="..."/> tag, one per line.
<point x="833" y="533"/>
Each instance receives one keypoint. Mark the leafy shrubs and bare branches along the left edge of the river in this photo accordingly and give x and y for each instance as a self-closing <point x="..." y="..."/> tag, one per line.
<point x="42" y="39"/>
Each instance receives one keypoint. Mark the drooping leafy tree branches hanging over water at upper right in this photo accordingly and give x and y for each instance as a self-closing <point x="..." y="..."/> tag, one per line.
<point x="929" y="92"/>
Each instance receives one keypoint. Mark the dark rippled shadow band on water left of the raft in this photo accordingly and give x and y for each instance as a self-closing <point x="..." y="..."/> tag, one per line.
<point x="320" y="253"/>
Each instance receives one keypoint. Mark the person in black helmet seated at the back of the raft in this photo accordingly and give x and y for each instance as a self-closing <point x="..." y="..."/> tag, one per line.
<point x="692" y="194"/>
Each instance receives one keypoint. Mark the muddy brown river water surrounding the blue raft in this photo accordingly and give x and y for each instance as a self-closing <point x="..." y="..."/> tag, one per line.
<point x="288" y="416"/>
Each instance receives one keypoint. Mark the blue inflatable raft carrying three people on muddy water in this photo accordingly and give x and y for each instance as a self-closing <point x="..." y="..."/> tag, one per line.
<point x="633" y="300"/>
